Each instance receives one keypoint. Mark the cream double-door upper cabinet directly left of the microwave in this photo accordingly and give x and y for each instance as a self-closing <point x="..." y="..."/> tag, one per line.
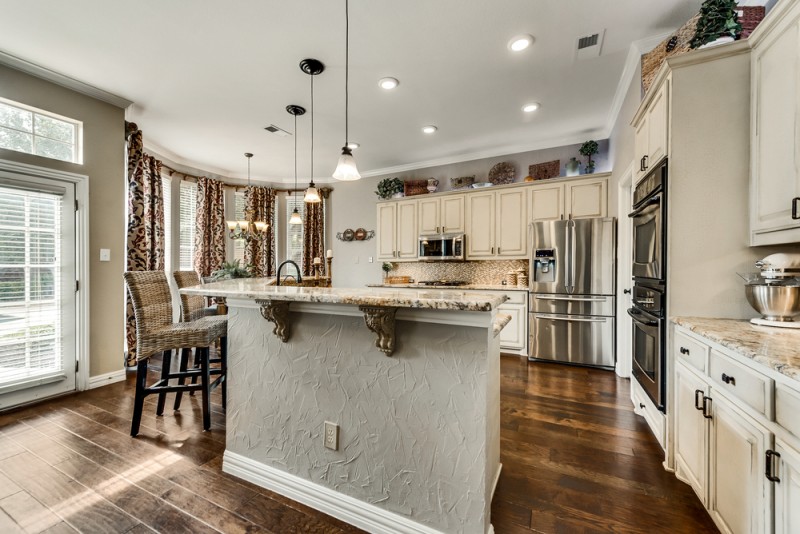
<point x="397" y="231"/>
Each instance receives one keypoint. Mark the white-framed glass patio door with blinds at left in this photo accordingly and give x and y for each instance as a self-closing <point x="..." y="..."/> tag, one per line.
<point x="37" y="288"/>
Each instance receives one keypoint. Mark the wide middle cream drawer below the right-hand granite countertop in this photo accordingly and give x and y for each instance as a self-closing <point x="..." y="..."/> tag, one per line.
<point x="744" y="383"/>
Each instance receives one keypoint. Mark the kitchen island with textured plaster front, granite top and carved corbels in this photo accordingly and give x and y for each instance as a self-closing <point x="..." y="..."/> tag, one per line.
<point x="411" y="378"/>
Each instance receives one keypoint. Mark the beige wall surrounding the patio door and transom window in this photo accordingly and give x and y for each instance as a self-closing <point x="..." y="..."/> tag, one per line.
<point x="103" y="155"/>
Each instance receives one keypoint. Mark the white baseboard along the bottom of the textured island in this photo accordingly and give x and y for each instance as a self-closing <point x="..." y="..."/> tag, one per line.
<point x="351" y="510"/>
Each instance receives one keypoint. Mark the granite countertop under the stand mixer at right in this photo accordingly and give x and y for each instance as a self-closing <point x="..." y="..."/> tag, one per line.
<point x="776" y="348"/>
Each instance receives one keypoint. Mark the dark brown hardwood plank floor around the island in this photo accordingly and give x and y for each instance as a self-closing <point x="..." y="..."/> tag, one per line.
<point x="575" y="459"/>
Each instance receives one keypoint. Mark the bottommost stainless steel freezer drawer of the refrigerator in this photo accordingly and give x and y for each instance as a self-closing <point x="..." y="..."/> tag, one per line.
<point x="577" y="339"/>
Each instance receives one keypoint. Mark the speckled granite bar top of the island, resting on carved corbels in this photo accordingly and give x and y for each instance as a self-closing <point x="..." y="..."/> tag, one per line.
<point x="437" y="299"/>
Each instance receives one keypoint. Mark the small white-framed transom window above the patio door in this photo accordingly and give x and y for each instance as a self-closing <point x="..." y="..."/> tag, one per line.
<point x="34" y="131"/>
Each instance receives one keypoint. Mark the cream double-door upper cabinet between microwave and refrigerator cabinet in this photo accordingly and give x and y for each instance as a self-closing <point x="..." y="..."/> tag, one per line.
<point x="497" y="224"/>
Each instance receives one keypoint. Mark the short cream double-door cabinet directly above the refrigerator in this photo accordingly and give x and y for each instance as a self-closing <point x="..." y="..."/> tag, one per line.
<point x="576" y="199"/>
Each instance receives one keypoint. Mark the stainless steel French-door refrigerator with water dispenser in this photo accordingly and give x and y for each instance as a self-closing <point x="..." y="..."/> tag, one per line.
<point x="573" y="266"/>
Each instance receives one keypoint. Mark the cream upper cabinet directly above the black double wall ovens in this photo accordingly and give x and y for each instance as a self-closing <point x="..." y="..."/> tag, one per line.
<point x="650" y="138"/>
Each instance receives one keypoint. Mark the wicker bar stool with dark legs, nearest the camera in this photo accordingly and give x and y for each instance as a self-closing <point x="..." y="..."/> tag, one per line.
<point x="155" y="332"/>
